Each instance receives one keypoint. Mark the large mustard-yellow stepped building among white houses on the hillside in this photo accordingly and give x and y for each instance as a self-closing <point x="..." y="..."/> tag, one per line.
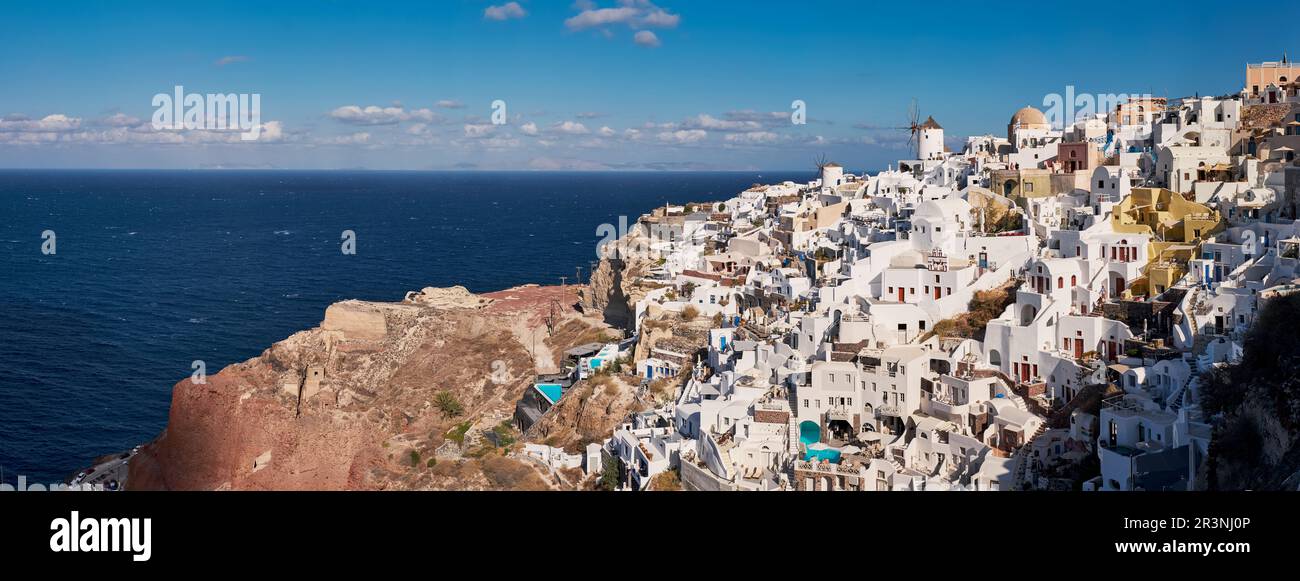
<point x="1177" y="228"/>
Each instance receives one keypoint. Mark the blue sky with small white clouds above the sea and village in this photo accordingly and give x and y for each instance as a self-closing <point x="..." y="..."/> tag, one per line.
<point x="588" y="85"/>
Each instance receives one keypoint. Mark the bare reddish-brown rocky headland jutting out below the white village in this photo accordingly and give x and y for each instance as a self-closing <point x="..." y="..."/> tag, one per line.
<point x="350" y="405"/>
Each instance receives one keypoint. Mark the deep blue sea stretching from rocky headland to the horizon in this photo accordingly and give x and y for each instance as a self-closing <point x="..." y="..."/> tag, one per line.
<point x="157" y="270"/>
